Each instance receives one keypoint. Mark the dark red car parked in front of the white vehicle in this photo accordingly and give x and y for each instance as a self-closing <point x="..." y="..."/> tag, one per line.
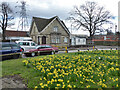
<point x="40" y="50"/>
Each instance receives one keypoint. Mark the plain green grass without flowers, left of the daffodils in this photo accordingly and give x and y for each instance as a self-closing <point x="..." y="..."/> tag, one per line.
<point x="16" y="67"/>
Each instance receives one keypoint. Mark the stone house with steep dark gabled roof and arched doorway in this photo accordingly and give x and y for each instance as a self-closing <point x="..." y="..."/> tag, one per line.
<point x="51" y="31"/>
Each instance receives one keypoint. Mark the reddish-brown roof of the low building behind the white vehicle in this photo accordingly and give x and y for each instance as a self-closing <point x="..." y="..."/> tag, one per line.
<point x="9" y="33"/>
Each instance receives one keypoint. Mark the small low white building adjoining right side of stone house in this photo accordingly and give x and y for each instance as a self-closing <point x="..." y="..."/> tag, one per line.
<point x="78" y="39"/>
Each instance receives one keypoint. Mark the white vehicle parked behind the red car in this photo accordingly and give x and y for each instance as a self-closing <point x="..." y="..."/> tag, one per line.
<point x="26" y="45"/>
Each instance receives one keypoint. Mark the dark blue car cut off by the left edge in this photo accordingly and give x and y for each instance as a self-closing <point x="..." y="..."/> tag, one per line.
<point x="10" y="50"/>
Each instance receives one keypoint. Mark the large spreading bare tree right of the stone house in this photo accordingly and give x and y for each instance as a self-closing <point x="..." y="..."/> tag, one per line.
<point x="90" y="17"/>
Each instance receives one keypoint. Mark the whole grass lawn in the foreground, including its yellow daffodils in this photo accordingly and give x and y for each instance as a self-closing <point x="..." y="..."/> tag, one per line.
<point x="89" y="69"/>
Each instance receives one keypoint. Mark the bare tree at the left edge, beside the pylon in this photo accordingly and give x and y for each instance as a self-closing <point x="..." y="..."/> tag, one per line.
<point x="6" y="15"/>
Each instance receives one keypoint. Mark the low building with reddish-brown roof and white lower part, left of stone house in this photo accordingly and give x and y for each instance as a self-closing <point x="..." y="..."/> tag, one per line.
<point x="17" y="35"/>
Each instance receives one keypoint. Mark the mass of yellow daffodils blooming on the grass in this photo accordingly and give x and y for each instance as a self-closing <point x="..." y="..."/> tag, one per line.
<point x="76" y="71"/>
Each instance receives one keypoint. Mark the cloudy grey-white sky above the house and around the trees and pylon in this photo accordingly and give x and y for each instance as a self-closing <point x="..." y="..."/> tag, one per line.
<point x="61" y="8"/>
